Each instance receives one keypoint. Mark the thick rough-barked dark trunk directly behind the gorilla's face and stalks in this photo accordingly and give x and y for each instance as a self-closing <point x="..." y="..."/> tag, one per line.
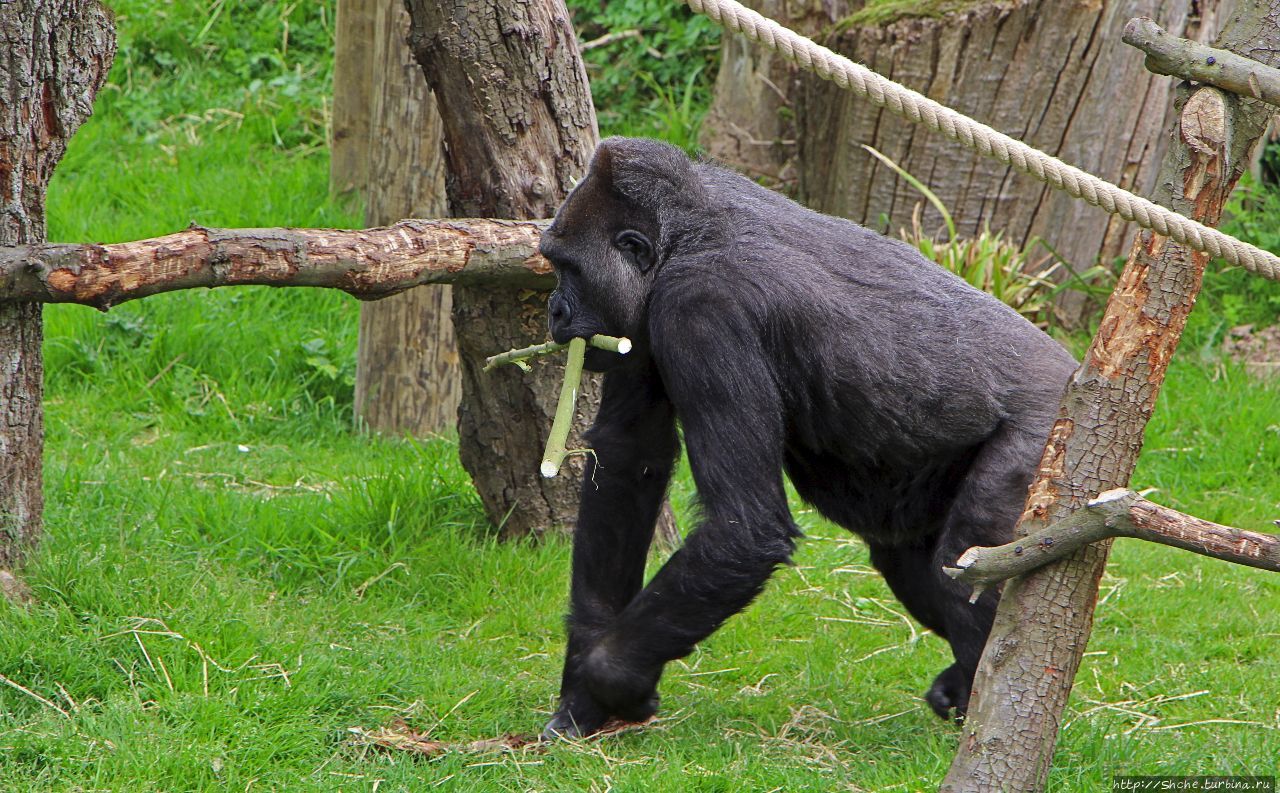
<point x="519" y="130"/>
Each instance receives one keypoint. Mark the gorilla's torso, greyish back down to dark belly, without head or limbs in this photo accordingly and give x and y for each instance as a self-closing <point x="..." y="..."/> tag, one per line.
<point x="888" y="364"/>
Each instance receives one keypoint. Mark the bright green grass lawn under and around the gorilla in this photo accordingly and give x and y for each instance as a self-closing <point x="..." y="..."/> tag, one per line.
<point x="232" y="579"/>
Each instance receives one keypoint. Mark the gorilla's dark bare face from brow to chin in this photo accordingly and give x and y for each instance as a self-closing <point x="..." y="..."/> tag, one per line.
<point x="604" y="254"/>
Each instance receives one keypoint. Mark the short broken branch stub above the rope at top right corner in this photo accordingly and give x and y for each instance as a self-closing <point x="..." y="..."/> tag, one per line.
<point x="1168" y="54"/>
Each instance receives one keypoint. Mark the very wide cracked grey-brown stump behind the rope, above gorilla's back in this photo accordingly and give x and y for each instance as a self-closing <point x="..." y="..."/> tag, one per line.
<point x="1054" y="75"/>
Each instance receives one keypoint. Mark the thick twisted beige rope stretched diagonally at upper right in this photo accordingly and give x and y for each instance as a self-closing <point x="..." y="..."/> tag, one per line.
<point x="922" y="111"/>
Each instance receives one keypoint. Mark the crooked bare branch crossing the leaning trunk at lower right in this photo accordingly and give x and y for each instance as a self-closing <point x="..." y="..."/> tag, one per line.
<point x="1116" y="514"/>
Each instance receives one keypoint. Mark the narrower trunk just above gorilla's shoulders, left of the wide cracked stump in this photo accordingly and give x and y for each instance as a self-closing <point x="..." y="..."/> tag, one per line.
<point x="752" y="125"/>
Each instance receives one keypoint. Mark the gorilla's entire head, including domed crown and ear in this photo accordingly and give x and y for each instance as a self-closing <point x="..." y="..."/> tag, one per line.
<point x="611" y="239"/>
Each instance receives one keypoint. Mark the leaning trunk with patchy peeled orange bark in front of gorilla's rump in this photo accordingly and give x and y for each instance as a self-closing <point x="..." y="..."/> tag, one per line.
<point x="1045" y="618"/>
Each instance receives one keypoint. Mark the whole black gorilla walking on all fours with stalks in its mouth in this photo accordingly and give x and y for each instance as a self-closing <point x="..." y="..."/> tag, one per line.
<point x="904" y="405"/>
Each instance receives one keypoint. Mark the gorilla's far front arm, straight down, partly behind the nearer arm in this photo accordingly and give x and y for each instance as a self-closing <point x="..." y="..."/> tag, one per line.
<point x="636" y="446"/>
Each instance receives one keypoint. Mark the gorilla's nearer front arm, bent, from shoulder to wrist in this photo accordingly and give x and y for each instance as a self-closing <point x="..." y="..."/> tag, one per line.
<point x="730" y="409"/>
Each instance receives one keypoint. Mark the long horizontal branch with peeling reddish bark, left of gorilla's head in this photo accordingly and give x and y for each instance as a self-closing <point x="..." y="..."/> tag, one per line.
<point x="368" y="264"/>
